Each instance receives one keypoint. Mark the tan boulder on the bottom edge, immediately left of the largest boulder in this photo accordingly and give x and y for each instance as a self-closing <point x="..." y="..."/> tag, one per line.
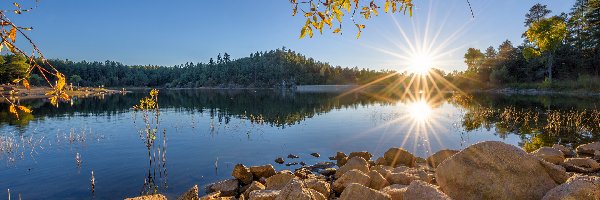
<point x="418" y="190"/>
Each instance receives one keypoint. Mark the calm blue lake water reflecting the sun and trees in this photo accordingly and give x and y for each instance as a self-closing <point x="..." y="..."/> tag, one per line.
<point x="202" y="134"/>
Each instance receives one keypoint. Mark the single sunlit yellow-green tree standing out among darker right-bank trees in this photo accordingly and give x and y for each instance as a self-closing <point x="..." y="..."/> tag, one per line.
<point x="546" y="35"/>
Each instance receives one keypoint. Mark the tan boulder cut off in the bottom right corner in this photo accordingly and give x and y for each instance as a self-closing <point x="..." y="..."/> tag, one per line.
<point x="577" y="187"/>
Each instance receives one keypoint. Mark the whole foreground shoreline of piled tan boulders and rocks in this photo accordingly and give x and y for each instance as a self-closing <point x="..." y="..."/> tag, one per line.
<point x="486" y="170"/>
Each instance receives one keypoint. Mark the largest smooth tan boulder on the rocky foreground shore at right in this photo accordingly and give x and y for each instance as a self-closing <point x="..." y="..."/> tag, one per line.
<point x="495" y="170"/>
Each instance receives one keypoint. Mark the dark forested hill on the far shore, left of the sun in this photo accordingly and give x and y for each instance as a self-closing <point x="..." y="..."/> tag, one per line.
<point x="276" y="68"/>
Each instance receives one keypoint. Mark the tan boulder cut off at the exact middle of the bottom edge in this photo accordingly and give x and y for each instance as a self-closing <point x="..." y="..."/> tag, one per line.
<point x="295" y="190"/>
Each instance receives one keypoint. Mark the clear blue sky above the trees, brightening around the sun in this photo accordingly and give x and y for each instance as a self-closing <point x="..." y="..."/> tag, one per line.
<point x="174" y="32"/>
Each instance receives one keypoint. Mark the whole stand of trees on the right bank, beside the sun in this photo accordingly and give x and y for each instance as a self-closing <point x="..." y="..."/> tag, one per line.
<point x="557" y="51"/>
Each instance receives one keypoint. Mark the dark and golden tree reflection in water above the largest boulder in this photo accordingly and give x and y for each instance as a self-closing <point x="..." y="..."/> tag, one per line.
<point x="540" y="121"/>
